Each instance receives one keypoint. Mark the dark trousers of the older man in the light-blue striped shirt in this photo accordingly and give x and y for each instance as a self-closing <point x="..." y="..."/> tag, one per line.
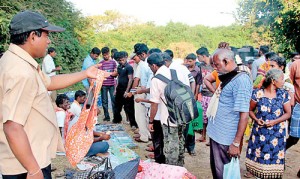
<point x="218" y="158"/>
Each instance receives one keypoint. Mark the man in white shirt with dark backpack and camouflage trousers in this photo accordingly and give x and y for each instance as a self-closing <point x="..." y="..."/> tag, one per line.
<point x="172" y="124"/>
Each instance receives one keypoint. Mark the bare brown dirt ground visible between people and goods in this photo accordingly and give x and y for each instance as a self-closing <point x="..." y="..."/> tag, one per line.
<point x="198" y="165"/>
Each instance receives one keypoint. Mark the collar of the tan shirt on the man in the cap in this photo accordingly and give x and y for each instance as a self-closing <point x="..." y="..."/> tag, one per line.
<point x="15" y="49"/>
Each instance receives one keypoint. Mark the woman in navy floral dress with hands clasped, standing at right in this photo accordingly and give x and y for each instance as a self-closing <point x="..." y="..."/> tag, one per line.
<point x="269" y="108"/>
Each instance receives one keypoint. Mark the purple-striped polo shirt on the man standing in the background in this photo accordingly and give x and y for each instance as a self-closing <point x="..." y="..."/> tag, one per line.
<point x="109" y="66"/>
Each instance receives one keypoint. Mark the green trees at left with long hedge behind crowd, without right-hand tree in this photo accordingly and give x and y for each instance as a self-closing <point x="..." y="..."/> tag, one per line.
<point x="116" y="30"/>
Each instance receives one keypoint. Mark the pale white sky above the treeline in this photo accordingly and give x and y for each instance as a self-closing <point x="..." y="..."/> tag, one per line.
<point x="192" y="12"/>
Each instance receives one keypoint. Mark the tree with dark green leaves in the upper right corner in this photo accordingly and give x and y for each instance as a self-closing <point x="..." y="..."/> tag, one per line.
<point x="275" y="22"/>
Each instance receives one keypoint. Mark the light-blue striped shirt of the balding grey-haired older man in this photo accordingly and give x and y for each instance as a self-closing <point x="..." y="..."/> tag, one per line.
<point x="235" y="98"/>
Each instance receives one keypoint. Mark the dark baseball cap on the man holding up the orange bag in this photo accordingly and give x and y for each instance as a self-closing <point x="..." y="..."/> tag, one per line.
<point x="26" y="21"/>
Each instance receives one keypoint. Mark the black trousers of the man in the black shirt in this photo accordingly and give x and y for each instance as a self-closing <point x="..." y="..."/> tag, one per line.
<point x="128" y="104"/>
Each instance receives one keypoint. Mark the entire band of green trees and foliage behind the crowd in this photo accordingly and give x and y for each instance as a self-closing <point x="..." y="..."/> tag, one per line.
<point x="274" y="22"/>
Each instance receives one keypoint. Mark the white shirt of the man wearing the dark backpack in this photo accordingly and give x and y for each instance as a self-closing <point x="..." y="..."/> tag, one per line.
<point x="157" y="92"/>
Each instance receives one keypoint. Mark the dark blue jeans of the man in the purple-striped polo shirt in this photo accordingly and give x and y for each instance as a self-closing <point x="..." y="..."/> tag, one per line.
<point x="104" y="95"/>
